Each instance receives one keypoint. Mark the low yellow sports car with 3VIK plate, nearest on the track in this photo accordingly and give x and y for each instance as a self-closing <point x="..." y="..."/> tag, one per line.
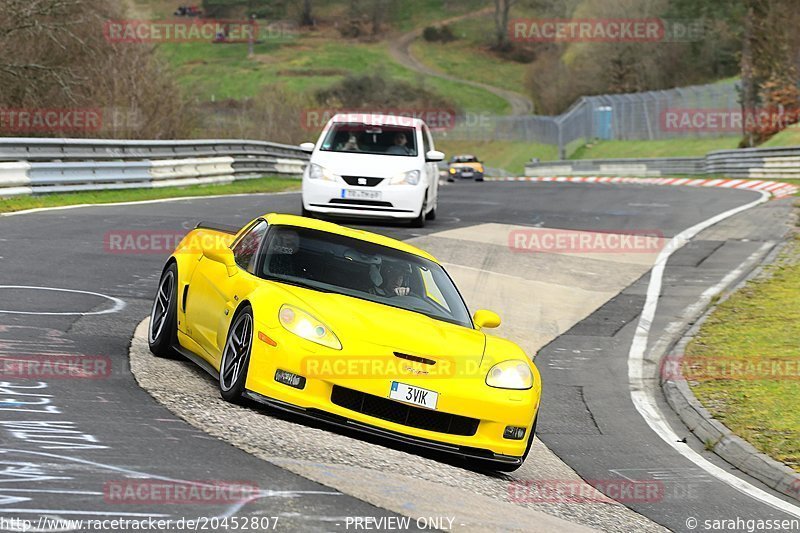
<point x="350" y="327"/>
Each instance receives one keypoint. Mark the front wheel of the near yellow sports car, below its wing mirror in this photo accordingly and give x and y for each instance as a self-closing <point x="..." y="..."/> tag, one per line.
<point x="235" y="359"/>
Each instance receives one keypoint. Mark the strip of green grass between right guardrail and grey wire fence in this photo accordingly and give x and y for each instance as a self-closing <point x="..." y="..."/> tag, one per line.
<point x="662" y="148"/>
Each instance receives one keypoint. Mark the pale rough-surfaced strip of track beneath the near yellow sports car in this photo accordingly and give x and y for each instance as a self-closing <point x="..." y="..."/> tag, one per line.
<point x="389" y="478"/>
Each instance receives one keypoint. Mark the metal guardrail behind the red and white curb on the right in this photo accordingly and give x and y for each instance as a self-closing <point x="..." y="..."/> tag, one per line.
<point x="760" y="163"/>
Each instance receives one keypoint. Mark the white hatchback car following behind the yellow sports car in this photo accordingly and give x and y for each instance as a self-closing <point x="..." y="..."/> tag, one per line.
<point x="373" y="166"/>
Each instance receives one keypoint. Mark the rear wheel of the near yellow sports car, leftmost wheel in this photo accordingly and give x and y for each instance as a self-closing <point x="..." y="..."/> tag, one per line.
<point x="162" y="332"/>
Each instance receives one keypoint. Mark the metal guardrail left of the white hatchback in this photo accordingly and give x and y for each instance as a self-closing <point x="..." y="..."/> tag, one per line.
<point x="45" y="165"/>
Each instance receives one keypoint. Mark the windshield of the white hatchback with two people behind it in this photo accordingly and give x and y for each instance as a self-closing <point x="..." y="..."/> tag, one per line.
<point x="360" y="138"/>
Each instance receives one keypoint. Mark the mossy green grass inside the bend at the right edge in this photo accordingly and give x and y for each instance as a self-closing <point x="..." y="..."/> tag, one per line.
<point x="758" y="323"/>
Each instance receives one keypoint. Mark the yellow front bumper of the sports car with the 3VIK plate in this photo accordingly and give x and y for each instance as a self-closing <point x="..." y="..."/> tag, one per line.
<point x="470" y="418"/>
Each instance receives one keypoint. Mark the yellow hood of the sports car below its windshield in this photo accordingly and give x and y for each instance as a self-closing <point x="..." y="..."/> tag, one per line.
<point x="361" y="325"/>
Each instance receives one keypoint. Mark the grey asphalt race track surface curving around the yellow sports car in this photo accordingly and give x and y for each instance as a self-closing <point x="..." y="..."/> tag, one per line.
<point x="65" y="442"/>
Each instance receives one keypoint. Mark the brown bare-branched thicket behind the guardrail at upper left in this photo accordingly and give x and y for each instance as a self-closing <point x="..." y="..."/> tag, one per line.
<point x="53" y="54"/>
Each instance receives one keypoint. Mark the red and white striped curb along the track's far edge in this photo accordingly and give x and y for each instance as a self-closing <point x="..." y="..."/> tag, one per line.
<point x="776" y="188"/>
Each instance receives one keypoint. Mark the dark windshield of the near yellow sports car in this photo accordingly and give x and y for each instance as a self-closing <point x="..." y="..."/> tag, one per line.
<point x="334" y="263"/>
